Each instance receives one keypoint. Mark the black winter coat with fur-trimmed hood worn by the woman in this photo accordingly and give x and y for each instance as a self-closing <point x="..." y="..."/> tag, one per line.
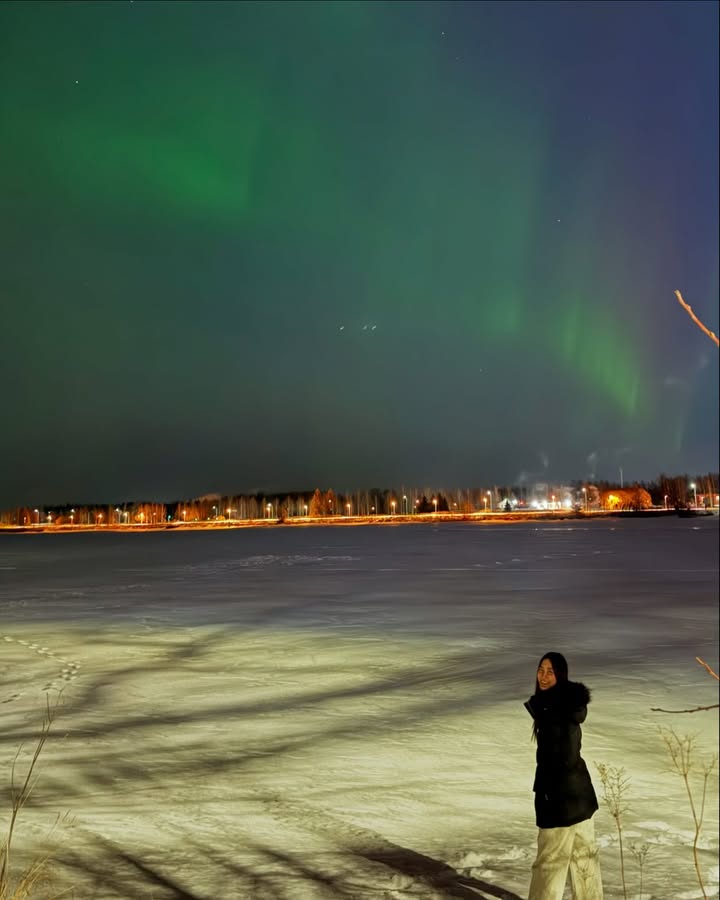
<point x="564" y="794"/>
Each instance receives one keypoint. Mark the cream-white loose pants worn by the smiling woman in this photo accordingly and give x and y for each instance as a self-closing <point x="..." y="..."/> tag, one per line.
<point x="560" y="849"/>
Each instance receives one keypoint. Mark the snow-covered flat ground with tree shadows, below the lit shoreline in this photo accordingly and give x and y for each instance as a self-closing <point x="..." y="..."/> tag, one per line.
<point x="337" y="712"/>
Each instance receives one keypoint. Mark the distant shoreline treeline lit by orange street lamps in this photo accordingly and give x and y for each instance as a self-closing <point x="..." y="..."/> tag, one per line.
<point x="668" y="491"/>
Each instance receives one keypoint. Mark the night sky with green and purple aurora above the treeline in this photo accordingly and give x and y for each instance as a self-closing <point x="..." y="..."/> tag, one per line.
<point x="287" y="245"/>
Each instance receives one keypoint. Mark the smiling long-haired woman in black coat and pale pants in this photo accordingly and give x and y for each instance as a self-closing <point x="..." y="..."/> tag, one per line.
<point x="564" y="797"/>
